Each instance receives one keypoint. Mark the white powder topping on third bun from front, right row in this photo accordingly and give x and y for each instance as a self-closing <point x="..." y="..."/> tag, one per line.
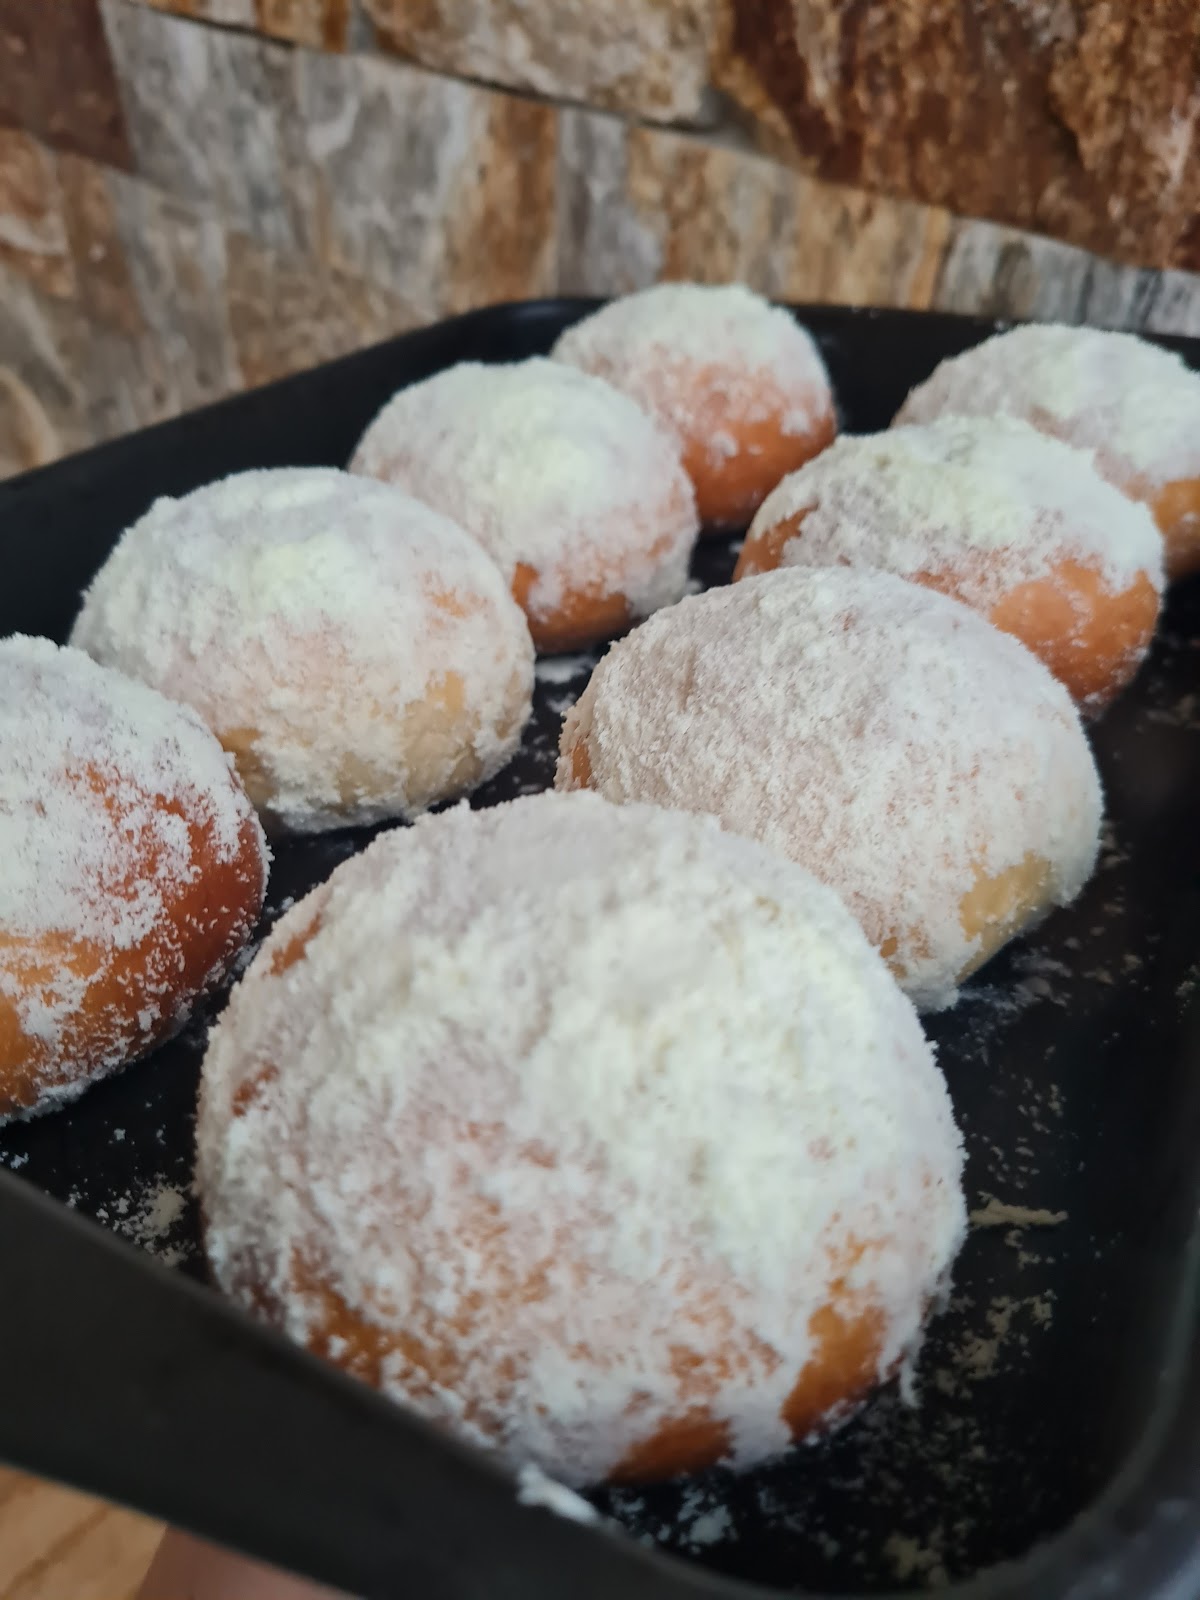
<point x="990" y="502"/>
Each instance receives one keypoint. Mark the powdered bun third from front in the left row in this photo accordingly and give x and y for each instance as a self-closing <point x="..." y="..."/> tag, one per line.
<point x="577" y="495"/>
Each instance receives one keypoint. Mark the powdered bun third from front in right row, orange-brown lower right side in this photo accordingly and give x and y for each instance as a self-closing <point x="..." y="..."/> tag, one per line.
<point x="996" y="514"/>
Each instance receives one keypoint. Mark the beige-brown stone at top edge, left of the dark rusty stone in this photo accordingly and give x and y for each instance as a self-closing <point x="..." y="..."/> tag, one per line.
<point x="649" y="58"/>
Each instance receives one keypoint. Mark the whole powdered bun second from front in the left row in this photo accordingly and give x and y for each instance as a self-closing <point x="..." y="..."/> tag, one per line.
<point x="354" y="652"/>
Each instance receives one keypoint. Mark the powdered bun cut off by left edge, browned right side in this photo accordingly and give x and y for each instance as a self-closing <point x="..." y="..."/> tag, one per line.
<point x="134" y="871"/>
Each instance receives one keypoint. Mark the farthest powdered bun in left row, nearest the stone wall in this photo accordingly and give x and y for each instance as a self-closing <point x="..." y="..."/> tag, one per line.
<point x="738" y="382"/>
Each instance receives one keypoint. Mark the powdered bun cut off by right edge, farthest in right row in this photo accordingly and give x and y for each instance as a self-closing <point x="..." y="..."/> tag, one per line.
<point x="1135" y="404"/>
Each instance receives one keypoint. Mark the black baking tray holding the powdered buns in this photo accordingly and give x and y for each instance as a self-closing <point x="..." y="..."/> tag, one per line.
<point x="1055" y="1444"/>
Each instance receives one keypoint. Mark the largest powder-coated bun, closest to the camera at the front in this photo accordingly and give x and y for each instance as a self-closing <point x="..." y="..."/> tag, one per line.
<point x="596" y="1135"/>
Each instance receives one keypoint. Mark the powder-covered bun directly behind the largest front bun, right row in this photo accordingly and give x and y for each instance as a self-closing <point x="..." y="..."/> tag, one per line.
<point x="916" y="759"/>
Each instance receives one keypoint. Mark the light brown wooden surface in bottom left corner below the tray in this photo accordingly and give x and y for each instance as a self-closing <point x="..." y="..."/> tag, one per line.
<point x="63" y="1546"/>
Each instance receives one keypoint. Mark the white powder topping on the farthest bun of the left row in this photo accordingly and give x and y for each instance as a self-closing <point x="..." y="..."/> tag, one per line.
<point x="674" y="345"/>
